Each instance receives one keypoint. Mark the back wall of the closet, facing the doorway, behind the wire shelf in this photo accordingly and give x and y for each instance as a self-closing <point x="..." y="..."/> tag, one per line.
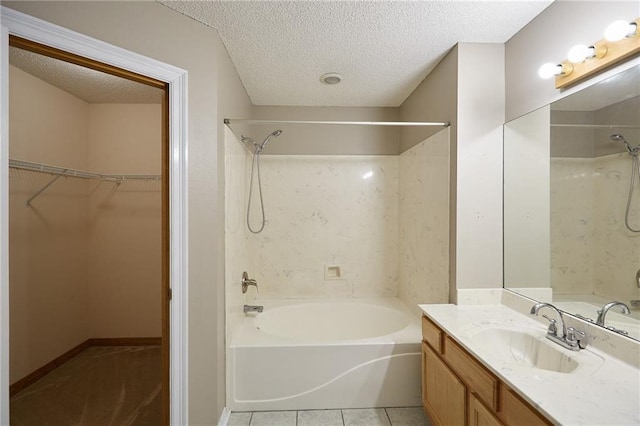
<point x="125" y="231"/>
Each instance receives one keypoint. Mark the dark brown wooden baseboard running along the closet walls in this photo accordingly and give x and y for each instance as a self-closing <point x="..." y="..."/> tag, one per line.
<point x="33" y="377"/>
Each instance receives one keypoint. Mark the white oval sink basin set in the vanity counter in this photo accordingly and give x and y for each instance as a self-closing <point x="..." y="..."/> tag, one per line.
<point x="526" y="349"/>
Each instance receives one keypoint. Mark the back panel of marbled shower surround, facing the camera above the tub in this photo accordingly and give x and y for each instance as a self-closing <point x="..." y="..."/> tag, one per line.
<point x="332" y="227"/>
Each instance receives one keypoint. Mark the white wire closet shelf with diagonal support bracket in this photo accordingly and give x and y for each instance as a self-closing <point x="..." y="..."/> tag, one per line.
<point x="67" y="172"/>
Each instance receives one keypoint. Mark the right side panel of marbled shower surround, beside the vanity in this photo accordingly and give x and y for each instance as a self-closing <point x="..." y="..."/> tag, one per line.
<point x="424" y="222"/>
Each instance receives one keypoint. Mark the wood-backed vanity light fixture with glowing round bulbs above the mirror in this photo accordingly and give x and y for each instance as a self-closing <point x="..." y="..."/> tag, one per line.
<point x="621" y="42"/>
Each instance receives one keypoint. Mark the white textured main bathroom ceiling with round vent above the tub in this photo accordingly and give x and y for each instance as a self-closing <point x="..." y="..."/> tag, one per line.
<point x="383" y="48"/>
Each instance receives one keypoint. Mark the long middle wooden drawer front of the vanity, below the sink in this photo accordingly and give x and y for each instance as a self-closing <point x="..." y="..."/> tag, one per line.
<point x="480" y="380"/>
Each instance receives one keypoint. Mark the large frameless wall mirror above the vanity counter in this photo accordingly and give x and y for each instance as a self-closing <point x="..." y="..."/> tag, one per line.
<point x="572" y="203"/>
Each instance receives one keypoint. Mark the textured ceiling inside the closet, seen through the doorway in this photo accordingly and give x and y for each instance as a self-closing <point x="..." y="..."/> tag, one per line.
<point x="84" y="83"/>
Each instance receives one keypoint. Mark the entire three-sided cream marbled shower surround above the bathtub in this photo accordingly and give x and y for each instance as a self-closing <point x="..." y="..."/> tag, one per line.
<point x="381" y="222"/>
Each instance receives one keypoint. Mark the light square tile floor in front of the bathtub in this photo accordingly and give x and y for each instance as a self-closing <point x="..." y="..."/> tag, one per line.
<point x="411" y="416"/>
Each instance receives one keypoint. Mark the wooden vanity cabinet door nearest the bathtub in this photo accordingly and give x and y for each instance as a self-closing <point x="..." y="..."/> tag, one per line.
<point x="444" y="395"/>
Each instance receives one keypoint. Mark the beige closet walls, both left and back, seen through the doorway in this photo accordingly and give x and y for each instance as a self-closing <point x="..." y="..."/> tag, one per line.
<point x="84" y="257"/>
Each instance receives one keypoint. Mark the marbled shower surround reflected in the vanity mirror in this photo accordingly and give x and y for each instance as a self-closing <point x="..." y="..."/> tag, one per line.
<point x="592" y="251"/>
